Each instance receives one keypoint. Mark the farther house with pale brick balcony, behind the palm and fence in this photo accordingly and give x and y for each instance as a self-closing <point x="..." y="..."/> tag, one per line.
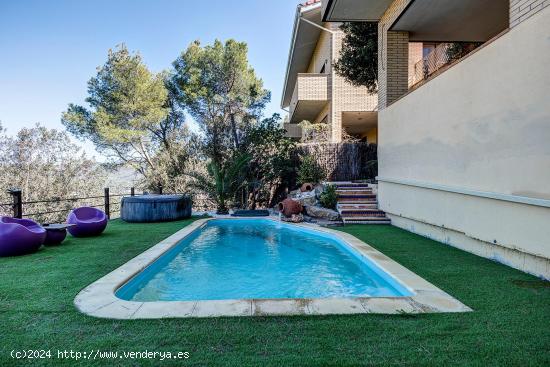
<point x="313" y="91"/>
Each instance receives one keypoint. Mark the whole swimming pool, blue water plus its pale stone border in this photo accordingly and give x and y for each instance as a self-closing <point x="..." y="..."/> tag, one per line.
<point x="260" y="267"/>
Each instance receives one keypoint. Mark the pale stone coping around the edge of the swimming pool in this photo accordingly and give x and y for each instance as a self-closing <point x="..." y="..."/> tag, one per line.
<point x="99" y="300"/>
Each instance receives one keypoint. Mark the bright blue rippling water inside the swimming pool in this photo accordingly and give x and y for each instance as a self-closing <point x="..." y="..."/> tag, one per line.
<point x="259" y="258"/>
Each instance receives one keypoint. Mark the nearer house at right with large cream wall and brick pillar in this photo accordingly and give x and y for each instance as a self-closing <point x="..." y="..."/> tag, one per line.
<point x="464" y="147"/>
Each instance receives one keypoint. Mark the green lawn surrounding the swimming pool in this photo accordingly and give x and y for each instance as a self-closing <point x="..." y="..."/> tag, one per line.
<point x="510" y="325"/>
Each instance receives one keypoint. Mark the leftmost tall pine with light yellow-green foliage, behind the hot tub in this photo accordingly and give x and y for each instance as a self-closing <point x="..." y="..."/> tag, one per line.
<point x="133" y="118"/>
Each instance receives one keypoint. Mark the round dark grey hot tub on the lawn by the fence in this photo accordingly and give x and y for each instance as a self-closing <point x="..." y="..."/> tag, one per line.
<point x="155" y="208"/>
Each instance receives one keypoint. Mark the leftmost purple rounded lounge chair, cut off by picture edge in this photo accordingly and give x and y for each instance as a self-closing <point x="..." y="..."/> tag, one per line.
<point x="20" y="236"/>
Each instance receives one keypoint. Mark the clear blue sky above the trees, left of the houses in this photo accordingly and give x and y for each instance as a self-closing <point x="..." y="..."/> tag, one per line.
<point x="50" y="49"/>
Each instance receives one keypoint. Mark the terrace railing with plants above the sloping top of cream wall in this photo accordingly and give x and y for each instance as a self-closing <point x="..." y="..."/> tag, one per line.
<point x="442" y="55"/>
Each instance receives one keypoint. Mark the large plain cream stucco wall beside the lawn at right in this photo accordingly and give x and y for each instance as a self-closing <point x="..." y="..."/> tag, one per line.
<point x="481" y="127"/>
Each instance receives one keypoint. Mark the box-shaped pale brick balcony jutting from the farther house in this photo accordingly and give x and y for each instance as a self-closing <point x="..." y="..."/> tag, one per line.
<point x="310" y="96"/>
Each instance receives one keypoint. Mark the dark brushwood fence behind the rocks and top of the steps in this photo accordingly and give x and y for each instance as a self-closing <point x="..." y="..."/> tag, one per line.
<point x="343" y="161"/>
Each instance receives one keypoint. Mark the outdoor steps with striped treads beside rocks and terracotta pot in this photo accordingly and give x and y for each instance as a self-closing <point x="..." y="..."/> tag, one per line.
<point x="357" y="204"/>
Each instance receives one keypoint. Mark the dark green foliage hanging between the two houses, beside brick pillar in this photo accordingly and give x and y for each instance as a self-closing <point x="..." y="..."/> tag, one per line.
<point x="358" y="62"/>
